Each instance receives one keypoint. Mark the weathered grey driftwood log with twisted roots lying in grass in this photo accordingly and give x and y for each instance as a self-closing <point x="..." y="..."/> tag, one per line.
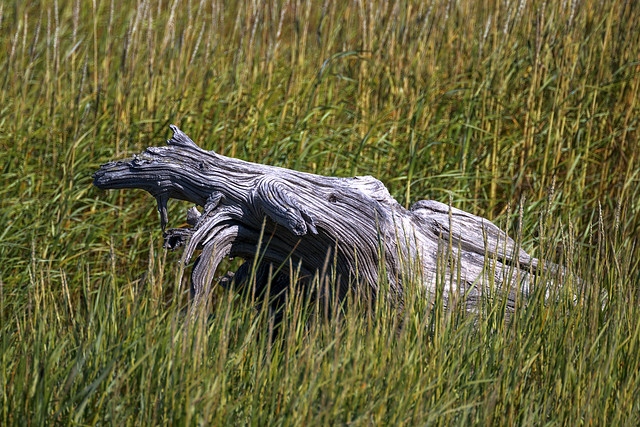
<point x="348" y="232"/>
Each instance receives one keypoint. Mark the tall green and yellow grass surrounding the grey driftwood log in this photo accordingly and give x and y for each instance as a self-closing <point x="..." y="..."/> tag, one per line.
<point x="525" y="112"/>
